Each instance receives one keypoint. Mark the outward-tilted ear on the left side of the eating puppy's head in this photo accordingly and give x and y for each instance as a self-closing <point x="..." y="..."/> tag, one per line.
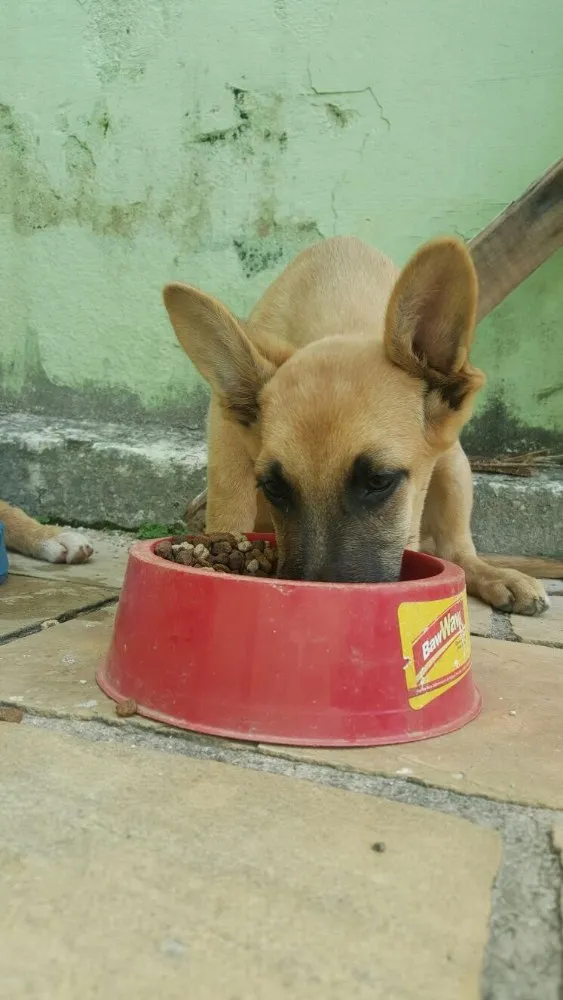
<point x="219" y="348"/>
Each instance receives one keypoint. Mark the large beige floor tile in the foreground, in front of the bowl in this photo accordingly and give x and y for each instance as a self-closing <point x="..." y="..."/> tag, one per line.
<point x="135" y="874"/>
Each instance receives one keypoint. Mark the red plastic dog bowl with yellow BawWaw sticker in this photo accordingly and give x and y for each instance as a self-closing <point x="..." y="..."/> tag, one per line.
<point x="276" y="661"/>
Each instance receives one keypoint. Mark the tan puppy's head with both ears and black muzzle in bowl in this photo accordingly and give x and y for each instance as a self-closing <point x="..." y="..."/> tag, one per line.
<point x="345" y="431"/>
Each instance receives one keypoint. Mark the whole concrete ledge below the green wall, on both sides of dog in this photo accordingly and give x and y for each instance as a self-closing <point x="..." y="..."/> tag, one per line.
<point x="92" y="474"/>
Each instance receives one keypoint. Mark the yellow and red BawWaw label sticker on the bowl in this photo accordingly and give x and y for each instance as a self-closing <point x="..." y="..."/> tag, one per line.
<point x="436" y="646"/>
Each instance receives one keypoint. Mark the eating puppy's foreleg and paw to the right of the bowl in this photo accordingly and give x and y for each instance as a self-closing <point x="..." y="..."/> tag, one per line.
<point x="446" y="519"/>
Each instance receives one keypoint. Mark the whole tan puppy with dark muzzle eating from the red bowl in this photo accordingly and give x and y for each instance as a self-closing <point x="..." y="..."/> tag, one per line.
<point x="336" y="411"/>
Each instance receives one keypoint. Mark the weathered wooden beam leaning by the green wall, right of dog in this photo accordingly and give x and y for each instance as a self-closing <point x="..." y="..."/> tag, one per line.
<point x="520" y="239"/>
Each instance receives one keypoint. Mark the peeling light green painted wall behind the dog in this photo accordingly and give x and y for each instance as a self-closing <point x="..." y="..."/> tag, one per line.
<point x="142" y="141"/>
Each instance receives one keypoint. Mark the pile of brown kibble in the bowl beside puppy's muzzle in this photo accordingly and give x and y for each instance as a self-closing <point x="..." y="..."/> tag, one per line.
<point x="223" y="553"/>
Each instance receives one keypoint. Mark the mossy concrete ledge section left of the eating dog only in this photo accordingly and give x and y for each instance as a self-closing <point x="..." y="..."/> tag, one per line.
<point x="90" y="473"/>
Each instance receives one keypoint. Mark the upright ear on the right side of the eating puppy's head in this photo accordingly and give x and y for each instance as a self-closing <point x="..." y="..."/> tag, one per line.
<point x="430" y="320"/>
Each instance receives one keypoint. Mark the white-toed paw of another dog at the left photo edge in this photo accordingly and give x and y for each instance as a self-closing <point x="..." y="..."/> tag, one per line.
<point x="53" y="544"/>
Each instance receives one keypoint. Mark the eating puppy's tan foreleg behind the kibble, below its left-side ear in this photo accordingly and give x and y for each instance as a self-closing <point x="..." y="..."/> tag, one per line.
<point x="231" y="485"/>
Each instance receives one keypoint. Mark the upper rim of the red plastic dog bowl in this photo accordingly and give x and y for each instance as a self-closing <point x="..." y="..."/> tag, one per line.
<point x="446" y="574"/>
